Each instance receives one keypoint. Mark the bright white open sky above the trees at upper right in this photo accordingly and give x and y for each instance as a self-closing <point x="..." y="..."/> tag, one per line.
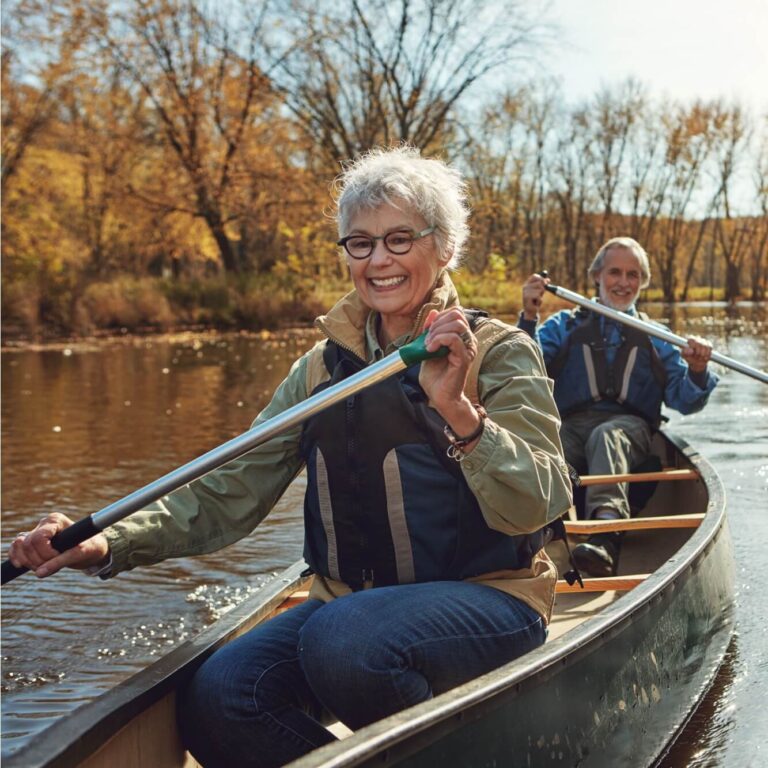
<point x="683" y="49"/>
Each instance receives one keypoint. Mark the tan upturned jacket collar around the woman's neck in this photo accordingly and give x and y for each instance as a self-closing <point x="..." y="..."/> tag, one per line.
<point x="346" y="322"/>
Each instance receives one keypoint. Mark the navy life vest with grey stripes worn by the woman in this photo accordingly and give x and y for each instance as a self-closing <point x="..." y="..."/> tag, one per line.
<point x="384" y="503"/>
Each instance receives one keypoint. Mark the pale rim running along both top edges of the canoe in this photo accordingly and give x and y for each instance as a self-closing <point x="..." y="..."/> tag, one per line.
<point x="77" y="737"/>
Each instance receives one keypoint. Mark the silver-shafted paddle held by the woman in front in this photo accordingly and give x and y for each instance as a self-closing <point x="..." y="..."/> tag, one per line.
<point x="84" y="529"/>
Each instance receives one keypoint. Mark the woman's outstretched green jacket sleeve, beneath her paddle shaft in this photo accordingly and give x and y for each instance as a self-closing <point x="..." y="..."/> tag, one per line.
<point x="222" y="507"/>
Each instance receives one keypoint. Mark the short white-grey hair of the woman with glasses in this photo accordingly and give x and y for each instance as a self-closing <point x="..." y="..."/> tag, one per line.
<point x="427" y="186"/>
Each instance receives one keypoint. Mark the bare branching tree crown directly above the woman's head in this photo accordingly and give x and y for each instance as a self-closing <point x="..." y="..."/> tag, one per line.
<point x="377" y="72"/>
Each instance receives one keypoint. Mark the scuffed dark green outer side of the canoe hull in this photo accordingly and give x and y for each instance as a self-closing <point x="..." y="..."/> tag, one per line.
<point x="613" y="701"/>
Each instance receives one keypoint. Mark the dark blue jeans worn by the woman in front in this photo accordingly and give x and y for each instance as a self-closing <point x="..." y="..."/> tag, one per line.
<point x="262" y="699"/>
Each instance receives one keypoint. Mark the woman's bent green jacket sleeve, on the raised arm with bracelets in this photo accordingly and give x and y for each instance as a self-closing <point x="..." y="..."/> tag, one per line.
<point x="517" y="470"/>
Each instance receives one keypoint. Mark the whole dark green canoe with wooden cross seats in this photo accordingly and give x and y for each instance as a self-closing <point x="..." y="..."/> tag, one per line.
<point x="625" y="664"/>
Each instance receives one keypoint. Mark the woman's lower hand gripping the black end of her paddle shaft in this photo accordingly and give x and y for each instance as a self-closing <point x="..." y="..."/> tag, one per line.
<point x="34" y="550"/>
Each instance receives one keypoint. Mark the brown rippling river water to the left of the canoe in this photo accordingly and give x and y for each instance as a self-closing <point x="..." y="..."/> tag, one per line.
<point x="85" y="425"/>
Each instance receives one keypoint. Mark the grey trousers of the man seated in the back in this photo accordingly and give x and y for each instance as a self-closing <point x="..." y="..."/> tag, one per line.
<point x="605" y="443"/>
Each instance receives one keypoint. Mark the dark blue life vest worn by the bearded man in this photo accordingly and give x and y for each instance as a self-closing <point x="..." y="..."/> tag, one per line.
<point x="635" y="380"/>
